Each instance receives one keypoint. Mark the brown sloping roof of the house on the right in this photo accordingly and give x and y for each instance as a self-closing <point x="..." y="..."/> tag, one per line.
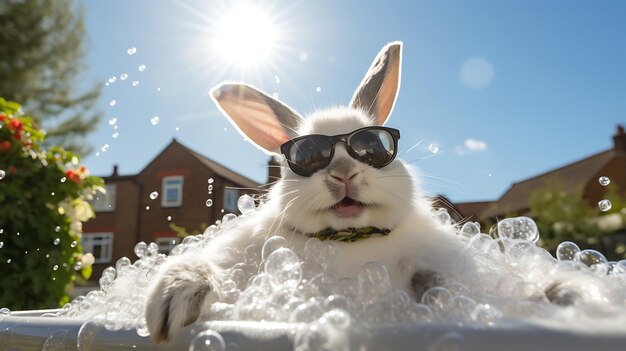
<point x="572" y="178"/>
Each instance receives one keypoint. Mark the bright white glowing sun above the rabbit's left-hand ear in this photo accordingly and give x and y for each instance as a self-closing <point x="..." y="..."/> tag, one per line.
<point x="245" y="36"/>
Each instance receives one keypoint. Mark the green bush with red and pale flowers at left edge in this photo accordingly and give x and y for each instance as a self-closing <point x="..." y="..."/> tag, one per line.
<point x="42" y="207"/>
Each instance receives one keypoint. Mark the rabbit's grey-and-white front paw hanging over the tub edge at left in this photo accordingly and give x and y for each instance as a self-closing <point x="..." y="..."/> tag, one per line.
<point x="177" y="297"/>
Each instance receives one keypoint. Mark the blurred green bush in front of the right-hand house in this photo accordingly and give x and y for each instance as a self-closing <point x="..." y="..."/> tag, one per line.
<point x="563" y="216"/>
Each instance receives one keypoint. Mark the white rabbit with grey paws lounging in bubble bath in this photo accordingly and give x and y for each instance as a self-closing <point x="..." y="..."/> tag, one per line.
<point x="346" y="193"/>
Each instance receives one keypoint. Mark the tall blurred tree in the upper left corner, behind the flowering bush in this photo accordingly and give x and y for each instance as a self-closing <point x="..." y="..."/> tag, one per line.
<point x="41" y="57"/>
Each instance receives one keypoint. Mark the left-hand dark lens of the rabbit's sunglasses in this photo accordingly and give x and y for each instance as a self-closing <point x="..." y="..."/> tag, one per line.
<point x="310" y="154"/>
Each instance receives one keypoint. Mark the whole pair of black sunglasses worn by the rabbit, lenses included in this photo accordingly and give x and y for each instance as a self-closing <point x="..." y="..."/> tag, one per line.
<point x="375" y="146"/>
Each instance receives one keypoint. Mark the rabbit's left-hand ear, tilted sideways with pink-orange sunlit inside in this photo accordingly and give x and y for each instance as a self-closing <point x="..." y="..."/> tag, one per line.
<point x="267" y="122"/>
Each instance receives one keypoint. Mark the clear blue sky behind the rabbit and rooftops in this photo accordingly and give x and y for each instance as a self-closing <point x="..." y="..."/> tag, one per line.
<point x="506" y="89"/>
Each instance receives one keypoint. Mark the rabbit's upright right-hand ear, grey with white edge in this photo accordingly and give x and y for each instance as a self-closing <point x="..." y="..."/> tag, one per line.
<point x="377" y="92"/>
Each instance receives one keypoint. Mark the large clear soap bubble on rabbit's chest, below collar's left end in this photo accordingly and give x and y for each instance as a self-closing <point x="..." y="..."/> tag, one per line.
<point x="283" y="268"/>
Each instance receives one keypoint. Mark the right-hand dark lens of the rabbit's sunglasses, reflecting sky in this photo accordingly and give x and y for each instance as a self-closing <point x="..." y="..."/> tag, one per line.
<point x="373" y="146"/>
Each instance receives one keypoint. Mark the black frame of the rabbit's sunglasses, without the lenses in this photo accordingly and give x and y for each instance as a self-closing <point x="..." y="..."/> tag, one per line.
<point x="333" y="140"/>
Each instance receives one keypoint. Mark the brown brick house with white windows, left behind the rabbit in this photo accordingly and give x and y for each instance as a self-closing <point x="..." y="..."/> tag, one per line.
<point x="178" y="186"/>
